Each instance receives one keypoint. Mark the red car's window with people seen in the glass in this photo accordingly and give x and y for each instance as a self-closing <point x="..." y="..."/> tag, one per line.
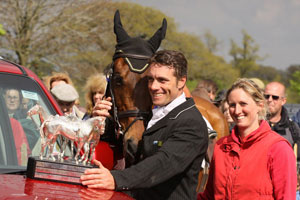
<point x="24" y="106"/>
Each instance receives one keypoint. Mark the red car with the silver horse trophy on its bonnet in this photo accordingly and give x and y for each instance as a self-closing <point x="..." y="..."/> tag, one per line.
<point x="20" y="91"/>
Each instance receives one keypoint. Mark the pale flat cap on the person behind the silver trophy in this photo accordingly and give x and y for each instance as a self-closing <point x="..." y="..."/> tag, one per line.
<point x="65" y="92"/>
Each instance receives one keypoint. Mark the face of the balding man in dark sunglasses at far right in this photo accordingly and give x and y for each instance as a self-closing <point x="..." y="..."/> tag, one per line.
<point x="274" y="95"/>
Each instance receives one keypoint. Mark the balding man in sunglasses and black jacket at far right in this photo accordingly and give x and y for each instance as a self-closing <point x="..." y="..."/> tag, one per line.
<point x="278" y="115"/>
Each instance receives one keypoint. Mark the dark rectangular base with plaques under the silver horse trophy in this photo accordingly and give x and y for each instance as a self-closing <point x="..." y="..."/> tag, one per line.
<point x="65" y="172"/>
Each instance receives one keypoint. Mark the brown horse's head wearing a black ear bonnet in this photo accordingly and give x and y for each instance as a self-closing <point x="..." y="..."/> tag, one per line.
<point x="129" y="84"/>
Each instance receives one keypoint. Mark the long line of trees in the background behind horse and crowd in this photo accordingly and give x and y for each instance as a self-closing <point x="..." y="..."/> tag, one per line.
<point x="77" y="37"/>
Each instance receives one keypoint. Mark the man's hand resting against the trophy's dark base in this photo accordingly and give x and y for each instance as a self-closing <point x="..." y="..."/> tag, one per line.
<point x="98" y="178"/>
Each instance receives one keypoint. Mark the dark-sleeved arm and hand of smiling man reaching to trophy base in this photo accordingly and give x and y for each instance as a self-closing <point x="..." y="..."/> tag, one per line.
<point x="186" y="143"/>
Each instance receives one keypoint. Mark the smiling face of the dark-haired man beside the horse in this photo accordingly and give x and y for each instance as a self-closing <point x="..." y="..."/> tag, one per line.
<point x="163" y="85"/>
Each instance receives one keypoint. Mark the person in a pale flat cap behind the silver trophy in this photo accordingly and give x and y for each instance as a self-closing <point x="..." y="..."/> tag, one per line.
<point x="66" y="95"/>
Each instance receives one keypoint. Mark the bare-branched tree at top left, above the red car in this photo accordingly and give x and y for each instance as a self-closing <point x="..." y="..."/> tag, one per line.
<point x="25" y="37"/>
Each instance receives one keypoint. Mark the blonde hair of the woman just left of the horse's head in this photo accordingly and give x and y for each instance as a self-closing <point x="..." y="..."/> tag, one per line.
<point x="95" y="83"/>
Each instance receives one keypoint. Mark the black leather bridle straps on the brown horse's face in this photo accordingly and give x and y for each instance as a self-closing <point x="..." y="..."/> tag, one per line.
<point x="138" y="114"/>
